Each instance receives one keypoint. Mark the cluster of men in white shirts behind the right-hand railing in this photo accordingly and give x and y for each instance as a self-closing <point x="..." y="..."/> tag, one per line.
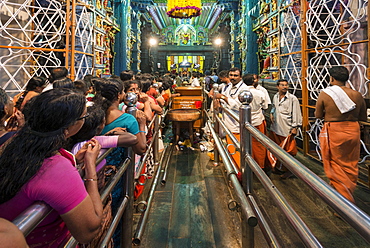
<point x="285" y="115"/>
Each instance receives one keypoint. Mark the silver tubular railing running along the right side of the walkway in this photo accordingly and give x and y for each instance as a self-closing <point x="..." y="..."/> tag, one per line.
<point x="354" y="216"/>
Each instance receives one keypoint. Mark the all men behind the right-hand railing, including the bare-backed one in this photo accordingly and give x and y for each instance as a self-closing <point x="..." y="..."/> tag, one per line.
<point x="340" y="107"/>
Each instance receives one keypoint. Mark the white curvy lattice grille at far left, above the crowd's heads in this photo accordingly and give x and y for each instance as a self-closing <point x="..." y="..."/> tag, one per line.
<point x="31" y="33"/>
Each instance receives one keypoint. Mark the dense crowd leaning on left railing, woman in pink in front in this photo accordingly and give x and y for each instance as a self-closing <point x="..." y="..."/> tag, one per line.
<point x="52" y="134"/>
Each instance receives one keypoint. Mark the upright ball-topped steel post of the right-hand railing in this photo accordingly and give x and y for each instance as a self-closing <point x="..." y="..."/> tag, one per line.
<point x="246" y="97"/>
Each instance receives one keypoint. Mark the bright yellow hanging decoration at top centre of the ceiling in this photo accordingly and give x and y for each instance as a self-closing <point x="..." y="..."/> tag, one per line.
<point x="183" y="9"/>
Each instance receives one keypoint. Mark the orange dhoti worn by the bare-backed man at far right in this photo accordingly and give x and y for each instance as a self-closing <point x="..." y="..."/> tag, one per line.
<point x="340" y="149"/>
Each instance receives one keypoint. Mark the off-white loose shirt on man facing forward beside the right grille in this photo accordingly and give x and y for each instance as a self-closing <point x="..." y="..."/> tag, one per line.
<point x="287" y="114"/>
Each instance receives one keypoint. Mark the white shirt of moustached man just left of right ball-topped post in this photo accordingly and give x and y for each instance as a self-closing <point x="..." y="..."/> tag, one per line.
<point x="232" y="93"/>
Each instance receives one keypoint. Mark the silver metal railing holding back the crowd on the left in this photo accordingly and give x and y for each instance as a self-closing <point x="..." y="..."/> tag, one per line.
<point x="36" y="213"/>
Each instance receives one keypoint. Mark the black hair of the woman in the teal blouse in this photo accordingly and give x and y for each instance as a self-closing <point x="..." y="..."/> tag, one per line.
<point x="106" y="91"/>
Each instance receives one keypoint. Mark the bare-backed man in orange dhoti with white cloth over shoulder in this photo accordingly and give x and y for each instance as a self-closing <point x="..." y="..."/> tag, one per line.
<point x="342" y="108"/>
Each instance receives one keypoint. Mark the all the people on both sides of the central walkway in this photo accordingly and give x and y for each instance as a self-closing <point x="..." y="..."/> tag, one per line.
<point x="52" y="133"/>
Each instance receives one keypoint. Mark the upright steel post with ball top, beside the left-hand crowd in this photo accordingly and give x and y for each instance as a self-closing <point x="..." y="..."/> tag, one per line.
<point x="127" y="217"/>
